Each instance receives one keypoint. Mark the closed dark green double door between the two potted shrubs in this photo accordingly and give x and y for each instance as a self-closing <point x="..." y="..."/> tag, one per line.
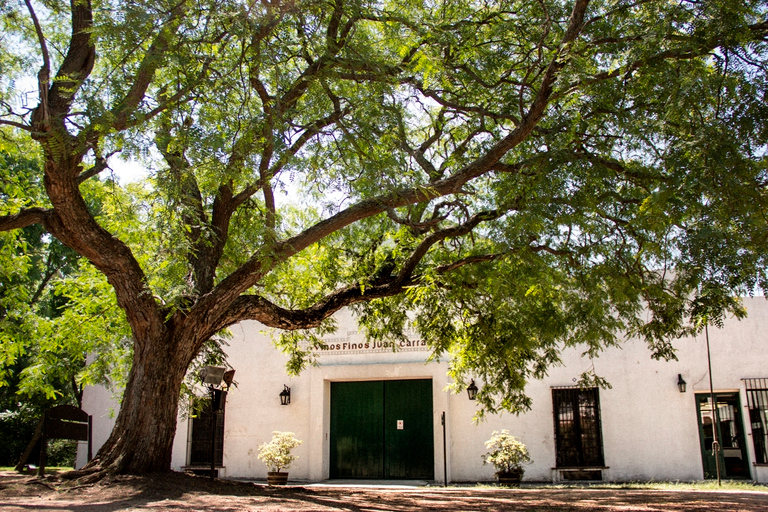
<point x="382" y="429"/>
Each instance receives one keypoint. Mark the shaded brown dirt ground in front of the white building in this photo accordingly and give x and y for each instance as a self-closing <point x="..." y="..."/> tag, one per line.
<point x="171" y="492"/>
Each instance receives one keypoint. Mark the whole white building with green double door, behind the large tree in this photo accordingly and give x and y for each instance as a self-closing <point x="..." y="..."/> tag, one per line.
<point x="369" y="412"/>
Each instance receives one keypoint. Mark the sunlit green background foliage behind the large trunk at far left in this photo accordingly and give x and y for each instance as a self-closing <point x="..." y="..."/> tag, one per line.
<point x="52" y="314"/>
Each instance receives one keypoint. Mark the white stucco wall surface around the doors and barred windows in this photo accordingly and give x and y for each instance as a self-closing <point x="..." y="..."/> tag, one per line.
<point x="649" y="428"/>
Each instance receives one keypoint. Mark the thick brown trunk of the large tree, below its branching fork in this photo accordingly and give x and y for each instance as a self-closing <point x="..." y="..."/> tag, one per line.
<point x="142" y="439"/>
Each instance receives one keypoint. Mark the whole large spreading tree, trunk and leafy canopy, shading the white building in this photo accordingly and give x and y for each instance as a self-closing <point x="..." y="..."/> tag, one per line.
<point x="507" y="177"/>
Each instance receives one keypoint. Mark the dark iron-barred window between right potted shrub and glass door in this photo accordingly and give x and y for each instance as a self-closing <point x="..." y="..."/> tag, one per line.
<point x="578" y="436"/>
